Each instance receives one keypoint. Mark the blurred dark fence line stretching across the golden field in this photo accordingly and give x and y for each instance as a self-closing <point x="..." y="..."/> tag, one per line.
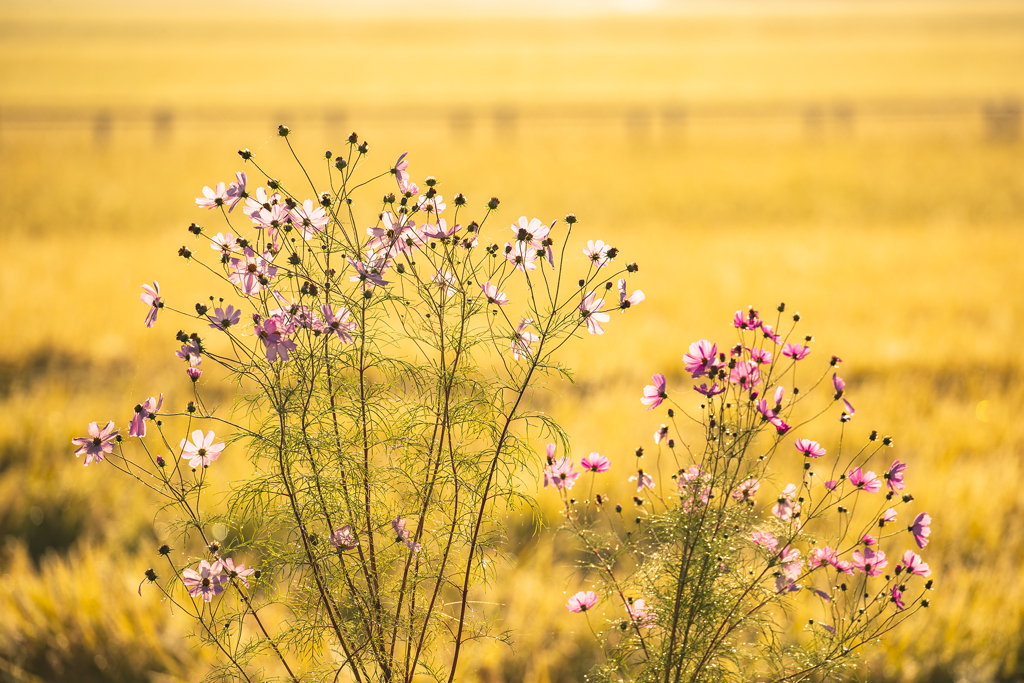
<point x="999" y="120"/>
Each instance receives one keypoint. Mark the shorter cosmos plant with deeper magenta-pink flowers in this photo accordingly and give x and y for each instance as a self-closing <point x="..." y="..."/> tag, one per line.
<point x="702" y="577"/>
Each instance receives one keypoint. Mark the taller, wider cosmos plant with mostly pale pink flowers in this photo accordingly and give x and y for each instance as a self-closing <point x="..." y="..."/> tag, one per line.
<point x="385" y="352"/>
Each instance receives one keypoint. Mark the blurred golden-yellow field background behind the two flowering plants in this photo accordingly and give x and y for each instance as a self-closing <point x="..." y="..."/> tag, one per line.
<point x="861" y="161"/>
